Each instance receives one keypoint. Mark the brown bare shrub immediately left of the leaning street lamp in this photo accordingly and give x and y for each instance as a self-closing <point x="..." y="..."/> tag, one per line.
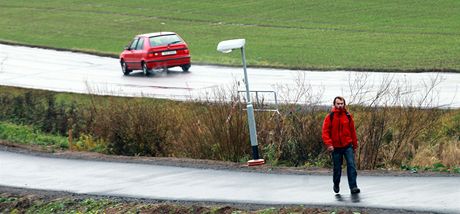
<point x="217" y="129"/>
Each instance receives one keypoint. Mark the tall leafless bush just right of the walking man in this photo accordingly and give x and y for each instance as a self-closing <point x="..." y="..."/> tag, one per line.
<point x="392" y="135"/>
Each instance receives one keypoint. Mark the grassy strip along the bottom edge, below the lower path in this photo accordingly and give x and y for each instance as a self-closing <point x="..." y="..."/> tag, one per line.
<point x="34" y="203"/>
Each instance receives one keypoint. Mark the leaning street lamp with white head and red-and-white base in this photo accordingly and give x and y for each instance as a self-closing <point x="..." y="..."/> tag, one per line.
<point x="226" y="47"/>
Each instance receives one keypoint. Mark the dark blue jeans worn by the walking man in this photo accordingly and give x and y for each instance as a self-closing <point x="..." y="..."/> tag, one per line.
<point x="337" y="158"/>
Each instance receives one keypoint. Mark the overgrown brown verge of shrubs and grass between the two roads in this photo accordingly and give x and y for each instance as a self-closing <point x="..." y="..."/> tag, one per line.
<point x="390" y="137"/>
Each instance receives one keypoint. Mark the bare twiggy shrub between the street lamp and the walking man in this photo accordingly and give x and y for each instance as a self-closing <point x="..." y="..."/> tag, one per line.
<point x="300" y="124"/>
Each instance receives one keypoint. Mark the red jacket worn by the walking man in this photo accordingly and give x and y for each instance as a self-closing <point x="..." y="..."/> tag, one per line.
<point x="341" y="131"/>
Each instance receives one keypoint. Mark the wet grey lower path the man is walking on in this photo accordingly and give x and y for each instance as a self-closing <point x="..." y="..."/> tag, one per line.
<point x="434" y="194"/>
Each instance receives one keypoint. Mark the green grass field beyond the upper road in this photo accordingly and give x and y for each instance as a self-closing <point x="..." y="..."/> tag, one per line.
<point x="328" y="35"/>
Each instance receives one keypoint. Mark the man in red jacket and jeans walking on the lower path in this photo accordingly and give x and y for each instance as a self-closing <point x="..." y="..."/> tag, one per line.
<point x="339" y="136"/>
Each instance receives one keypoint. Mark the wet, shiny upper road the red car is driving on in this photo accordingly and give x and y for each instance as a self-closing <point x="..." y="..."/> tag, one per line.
<point x="83" y="73"/>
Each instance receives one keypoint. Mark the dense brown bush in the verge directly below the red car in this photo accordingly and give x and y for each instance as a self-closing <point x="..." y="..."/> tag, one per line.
<point x="132" y="127"/>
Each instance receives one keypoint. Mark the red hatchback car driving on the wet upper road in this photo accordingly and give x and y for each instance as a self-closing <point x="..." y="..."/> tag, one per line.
<point x="155" y="50"/>
